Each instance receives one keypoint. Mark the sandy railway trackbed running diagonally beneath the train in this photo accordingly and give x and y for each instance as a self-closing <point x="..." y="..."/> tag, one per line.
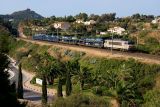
<point x="142" y="57"/>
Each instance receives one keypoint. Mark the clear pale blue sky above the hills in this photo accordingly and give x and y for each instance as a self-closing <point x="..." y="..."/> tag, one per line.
<point x="48" y="8"/>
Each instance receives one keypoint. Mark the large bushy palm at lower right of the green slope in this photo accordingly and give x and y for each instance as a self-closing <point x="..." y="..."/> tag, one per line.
<point x="119" y="86"/>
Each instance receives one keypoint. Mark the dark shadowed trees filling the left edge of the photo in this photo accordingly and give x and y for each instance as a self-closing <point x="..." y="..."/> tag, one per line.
<point x="8" y="97"/>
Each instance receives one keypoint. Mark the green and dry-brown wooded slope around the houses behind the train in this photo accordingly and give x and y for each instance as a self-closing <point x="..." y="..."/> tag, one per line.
<point x="138" y="28"/>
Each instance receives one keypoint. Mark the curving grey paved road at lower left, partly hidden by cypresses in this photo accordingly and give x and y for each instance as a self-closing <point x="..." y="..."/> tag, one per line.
<point x="28" y="94"/>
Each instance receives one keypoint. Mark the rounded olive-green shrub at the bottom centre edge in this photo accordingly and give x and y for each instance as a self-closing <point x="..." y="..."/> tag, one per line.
<point x="81" y="100"/>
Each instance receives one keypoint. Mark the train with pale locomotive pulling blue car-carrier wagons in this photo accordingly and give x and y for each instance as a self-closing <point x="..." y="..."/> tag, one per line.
<point x="117" y="44"/>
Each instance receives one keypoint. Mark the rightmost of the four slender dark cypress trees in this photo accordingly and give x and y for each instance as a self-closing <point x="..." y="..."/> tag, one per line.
<point x="68" y="84"/>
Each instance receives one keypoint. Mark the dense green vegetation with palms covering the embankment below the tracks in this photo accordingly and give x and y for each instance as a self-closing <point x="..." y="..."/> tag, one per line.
<point x="129" y="82"/>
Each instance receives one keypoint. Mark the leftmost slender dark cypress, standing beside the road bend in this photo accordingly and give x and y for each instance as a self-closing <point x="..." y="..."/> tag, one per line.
<point x="20" y="83"/>
